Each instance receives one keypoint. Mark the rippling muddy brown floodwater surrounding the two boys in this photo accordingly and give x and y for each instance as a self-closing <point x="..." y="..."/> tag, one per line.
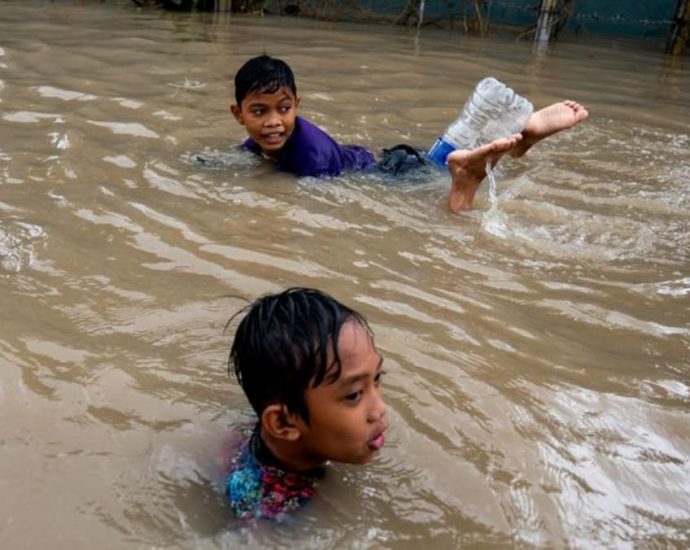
<point x="538" y="372"/>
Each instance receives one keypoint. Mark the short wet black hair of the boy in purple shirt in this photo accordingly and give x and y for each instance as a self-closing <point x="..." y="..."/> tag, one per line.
<point x="263" y="74"/>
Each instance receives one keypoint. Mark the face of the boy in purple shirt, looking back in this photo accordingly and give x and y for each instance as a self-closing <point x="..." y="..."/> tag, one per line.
<point x="268" y="118"/>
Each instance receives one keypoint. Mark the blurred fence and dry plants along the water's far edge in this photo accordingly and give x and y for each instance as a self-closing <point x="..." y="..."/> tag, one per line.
<point x="472" y="16"/>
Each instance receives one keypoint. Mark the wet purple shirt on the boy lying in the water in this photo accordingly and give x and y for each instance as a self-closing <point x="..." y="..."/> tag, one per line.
<point x="312" y="152"/>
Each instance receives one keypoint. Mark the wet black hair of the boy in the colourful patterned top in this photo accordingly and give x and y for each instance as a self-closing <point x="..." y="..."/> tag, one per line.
<point x="283" y="345"/>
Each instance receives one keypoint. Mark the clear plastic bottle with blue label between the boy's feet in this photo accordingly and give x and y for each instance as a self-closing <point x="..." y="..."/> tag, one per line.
<point x="493" y="111"/>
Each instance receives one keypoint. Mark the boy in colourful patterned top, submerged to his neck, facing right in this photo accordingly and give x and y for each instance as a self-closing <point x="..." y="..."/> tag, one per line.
<point x="309" y="368"/>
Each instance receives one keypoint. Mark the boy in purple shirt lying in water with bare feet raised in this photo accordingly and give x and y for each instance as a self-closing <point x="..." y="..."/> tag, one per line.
<point x="266" y="103"/>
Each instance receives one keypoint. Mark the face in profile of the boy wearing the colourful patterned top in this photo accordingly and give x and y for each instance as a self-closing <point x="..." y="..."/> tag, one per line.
<point x="348" y="416"/>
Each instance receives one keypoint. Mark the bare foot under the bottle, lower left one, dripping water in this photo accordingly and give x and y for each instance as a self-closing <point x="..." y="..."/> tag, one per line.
<point x="468" y="169"/>
